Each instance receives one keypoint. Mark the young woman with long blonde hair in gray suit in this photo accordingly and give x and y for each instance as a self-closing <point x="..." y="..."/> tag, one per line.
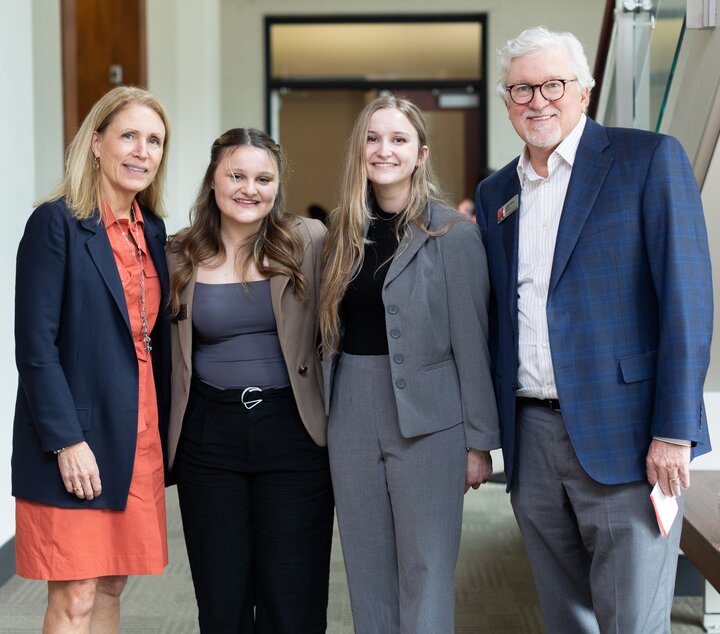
<point x="403" y="319"/>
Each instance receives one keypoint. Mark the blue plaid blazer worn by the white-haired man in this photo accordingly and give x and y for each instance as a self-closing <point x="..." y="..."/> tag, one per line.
<point x="630" y="303"/>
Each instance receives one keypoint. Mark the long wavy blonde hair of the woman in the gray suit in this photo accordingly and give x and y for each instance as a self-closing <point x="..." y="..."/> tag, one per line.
<point x="345" y="246"/>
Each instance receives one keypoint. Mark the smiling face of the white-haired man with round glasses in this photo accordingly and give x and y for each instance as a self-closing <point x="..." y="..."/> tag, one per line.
<point x="543" y="124"/>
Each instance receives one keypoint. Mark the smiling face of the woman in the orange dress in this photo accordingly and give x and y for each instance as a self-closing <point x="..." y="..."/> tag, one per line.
<point x="129" y="151"/>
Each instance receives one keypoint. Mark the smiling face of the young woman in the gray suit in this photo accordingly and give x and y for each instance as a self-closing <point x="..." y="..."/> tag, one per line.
<point x="392" y="151"/>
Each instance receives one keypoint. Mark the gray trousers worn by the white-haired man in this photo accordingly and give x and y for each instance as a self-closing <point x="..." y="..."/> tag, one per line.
<point x="599" y="561"/>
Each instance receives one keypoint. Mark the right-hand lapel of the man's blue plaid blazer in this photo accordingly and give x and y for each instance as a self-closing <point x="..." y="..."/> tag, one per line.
<point x="588" y="174"/>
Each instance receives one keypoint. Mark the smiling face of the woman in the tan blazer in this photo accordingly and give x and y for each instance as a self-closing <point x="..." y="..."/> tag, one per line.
<point x="245" y="184"/>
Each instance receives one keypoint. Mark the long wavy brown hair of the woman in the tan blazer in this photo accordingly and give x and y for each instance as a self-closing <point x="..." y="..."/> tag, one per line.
<point x="276" y="248"/>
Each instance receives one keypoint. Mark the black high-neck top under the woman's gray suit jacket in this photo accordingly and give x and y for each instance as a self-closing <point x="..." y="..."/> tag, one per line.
<point x="362" y="307"/>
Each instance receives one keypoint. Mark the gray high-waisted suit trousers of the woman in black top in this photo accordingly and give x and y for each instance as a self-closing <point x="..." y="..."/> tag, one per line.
<point x="399" y="505"/>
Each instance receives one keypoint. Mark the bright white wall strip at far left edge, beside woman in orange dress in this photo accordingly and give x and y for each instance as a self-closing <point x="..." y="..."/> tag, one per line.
<point x="17" y="191"/>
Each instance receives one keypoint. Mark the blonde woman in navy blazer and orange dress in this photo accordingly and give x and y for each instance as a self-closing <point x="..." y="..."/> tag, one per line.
<point x="87" y="466"/>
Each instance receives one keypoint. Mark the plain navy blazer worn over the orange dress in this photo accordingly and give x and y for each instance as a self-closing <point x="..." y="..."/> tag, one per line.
<point x="77" y="365"/>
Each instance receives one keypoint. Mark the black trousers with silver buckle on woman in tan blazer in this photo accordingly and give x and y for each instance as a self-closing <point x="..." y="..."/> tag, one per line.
<point x="257" y="510"/>
